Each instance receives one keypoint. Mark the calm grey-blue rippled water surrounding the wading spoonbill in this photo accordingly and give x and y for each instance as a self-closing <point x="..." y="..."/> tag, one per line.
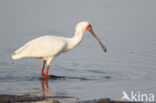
<point x="128" y="33"/>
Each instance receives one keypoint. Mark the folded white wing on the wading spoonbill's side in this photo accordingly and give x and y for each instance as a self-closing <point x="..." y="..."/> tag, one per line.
<point x="46" y="46"/>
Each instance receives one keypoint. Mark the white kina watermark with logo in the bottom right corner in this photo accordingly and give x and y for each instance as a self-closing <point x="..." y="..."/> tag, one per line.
<point x="137" y="96"/>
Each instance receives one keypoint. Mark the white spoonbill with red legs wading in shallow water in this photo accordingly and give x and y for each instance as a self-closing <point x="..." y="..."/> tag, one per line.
<point x="48" y="47"/>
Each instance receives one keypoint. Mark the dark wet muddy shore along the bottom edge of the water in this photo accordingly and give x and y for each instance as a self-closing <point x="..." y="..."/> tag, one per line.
<point x="4" y="98"/>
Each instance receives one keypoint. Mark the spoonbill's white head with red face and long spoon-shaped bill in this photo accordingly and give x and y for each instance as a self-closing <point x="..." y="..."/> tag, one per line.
<point x="86" y="26"/>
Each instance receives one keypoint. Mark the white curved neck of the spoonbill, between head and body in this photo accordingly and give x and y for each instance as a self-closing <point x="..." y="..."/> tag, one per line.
<point x="75" y="40"/>
